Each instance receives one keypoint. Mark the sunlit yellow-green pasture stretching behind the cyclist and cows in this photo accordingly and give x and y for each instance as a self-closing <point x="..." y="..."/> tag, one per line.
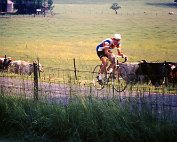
<point x="148" y="31"/>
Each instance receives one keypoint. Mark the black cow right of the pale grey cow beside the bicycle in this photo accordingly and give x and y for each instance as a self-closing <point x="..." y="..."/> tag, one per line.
<point x="156" y="72"/>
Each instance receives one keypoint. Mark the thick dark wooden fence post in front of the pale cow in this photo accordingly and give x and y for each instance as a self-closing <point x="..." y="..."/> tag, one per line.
<point x="35" y="66"/>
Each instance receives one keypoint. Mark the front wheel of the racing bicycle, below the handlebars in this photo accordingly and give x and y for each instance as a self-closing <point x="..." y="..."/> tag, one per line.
<point x="120" y="79"/>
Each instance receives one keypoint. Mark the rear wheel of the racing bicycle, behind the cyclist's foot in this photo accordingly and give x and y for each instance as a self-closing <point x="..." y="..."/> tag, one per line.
<point x="95" y="74"/>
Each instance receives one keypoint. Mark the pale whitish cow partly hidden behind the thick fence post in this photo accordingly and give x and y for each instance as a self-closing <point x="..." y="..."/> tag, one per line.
<point x="22" y="67"/>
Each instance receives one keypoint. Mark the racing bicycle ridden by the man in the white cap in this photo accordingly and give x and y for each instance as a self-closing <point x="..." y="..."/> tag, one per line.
<point x="117" y="79"/>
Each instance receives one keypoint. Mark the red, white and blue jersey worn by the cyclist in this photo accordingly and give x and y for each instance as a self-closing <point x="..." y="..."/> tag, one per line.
<point x="107" y="43"/>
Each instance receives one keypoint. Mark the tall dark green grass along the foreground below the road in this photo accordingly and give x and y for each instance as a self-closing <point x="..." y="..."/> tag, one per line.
<point x="83" y="119"/>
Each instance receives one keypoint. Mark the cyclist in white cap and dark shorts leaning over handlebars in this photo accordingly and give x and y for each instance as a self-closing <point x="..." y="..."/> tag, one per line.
<point x="104" y="51"/>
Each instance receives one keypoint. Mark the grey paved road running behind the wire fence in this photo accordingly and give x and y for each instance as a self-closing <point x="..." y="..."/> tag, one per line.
<point x="61" y="93"/>
